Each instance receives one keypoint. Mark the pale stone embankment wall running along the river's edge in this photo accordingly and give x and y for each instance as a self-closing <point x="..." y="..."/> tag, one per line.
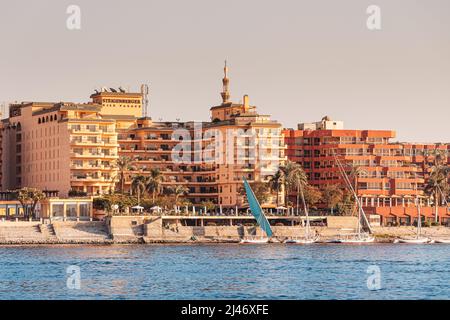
<point x="151" y="229"/>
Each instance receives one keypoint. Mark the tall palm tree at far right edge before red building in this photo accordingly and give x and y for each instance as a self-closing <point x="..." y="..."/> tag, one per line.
<point x="437" y="184"/>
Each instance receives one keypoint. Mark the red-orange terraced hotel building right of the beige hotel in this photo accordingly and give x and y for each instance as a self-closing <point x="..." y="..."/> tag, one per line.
<point x="391" y="174"/>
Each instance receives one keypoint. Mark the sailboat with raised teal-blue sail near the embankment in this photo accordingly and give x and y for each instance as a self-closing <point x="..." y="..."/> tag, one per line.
<point x="261" y="219"/>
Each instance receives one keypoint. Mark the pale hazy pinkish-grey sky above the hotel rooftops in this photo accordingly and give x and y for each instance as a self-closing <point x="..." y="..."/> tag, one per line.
<point x="297" y="60"/>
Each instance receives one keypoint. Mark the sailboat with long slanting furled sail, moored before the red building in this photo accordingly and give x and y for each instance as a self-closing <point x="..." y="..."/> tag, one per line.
<point x="360" y="236"/>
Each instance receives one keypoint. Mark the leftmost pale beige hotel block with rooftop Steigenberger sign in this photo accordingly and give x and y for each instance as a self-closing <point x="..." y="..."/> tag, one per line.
<point x="65" y="146"/>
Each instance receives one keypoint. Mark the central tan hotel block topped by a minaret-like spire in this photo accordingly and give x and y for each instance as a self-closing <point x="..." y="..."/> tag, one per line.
<point x="234" y="128"/>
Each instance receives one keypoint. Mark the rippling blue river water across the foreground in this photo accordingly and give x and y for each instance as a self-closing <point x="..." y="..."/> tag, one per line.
<point x="226" y="271"/>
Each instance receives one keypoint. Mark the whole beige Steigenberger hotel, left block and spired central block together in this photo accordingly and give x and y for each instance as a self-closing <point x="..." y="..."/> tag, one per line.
<point x="68" y="146"/>
